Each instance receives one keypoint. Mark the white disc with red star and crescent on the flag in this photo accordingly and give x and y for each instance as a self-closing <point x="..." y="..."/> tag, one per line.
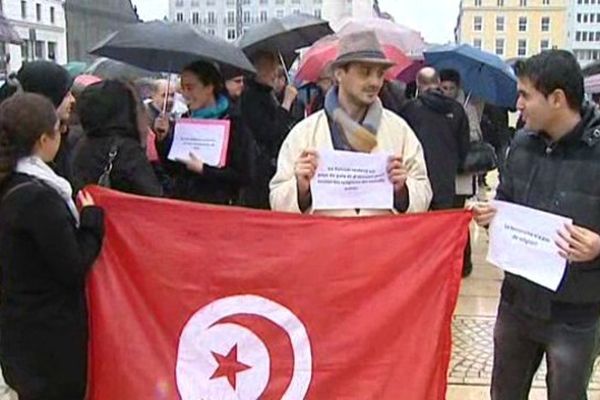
<point x="221" y="359"/>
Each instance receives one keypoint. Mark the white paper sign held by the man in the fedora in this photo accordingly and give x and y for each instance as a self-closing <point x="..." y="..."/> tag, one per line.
<point x="352" y="180"/>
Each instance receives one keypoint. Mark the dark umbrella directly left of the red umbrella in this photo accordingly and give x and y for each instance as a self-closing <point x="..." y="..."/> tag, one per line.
<point x="284" y="35"/>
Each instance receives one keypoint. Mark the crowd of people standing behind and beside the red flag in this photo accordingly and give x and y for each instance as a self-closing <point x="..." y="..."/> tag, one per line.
<point x="58" y="135"/>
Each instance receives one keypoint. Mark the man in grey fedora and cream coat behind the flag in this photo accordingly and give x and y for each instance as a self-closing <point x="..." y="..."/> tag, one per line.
<point x="353" y="120"/>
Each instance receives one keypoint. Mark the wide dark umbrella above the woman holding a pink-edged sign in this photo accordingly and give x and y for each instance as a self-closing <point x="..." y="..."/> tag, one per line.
<point x="169" y="47"/>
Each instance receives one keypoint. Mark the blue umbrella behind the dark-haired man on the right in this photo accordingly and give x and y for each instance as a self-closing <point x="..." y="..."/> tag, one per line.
<point x="484" y="75"/>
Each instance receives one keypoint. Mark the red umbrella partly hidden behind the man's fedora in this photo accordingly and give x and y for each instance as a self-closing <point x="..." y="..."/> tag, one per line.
<point x="325" y="51"/>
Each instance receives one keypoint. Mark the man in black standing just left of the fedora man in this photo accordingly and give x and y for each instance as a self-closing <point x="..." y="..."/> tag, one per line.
<point x="269" y="122"/>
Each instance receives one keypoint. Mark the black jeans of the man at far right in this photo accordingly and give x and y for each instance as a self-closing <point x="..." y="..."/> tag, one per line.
<point x="520" y="342"/>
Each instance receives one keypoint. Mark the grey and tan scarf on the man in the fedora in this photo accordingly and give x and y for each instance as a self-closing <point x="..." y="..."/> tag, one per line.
<point x="348" y="134"/>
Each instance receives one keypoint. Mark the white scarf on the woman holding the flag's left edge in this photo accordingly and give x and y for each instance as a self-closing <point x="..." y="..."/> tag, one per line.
<point x="35" y="167"/>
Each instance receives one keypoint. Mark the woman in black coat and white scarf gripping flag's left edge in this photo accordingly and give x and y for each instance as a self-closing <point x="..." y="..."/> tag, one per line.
<point x="47" y="248"/>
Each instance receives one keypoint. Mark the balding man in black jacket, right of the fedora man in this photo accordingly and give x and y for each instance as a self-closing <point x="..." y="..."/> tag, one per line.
<point x="443" y="129"/>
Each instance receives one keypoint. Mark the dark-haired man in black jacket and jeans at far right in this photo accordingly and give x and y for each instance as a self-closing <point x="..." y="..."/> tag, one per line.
<point x="553" y="166"/>
